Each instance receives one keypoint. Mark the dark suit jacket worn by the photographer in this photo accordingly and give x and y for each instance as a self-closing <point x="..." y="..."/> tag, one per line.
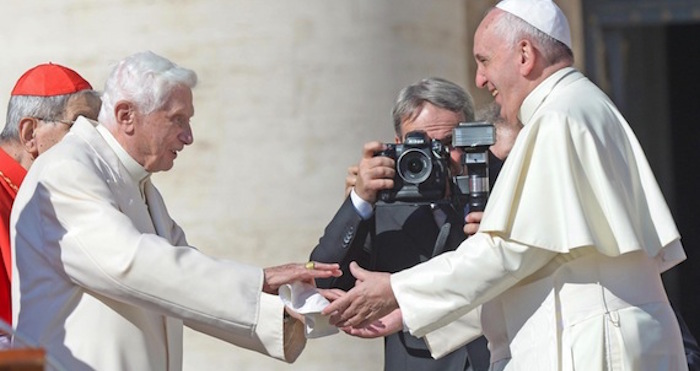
<point x="396" y="237"/>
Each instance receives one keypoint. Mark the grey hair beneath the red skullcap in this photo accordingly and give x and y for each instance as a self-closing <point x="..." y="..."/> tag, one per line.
<point x="47" y="108"/>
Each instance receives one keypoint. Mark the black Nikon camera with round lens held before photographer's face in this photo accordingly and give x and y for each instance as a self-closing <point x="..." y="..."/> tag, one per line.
<point x="422" y="167"/>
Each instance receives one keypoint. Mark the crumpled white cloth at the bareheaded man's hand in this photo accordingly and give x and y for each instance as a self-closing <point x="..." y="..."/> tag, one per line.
<point x="305" y="299"/>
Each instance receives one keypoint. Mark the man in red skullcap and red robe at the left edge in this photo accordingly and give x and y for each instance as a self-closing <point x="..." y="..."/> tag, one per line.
<point x="43" y="105"/>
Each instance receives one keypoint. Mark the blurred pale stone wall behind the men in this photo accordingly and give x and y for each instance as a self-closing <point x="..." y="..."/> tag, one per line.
<point x="288" y="93"/>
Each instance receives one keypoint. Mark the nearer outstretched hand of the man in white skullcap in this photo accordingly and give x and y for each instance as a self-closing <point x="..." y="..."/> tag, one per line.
<point x="370" y="300"/>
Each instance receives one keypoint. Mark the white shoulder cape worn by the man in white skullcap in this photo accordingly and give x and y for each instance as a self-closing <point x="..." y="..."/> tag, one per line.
<point x="577" y="177"/>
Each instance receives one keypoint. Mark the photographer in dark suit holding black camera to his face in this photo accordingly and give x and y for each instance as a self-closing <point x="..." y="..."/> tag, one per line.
<point x="398" y="212"/>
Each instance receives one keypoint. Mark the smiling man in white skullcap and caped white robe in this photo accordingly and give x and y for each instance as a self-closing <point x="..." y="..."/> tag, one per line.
<point x="564" y="272"/>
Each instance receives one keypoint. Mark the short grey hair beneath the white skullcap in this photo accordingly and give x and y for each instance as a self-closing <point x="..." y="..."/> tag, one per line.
<point x="512" y="28"/>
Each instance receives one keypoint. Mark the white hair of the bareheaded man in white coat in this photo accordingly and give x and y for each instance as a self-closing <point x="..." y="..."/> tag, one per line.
<point x="144" y="79"/>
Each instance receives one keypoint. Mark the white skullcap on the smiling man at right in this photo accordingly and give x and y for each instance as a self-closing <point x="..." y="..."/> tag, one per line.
<point x="544" y="15"/>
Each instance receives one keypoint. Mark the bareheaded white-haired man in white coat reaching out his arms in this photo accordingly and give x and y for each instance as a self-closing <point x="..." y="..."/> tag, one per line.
<point x="105" y="277"/>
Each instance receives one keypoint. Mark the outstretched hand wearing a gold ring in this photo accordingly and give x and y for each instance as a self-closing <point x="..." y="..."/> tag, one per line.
<point x="288" y="273"/>
